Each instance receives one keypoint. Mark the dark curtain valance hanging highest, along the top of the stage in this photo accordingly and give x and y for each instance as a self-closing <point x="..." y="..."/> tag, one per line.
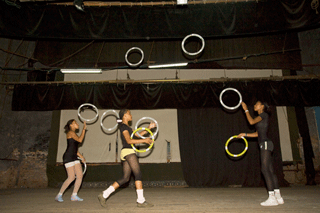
<point x="221" y="19"/>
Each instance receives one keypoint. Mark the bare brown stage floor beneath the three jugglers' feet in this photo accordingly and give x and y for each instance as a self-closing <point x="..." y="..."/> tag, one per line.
<point x="179" y="200"/>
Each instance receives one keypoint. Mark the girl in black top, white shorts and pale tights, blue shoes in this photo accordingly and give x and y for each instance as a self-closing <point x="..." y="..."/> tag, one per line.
<point x="71" y="161"/>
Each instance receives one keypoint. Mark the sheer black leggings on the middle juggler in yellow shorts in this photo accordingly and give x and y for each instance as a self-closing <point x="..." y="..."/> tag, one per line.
<point x="130" y="165"/>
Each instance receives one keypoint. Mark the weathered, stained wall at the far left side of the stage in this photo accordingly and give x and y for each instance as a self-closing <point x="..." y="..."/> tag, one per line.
<point x="24" y="136"/>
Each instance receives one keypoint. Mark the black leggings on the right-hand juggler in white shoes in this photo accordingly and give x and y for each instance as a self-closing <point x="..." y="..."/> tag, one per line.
<point x="268" y="171"/>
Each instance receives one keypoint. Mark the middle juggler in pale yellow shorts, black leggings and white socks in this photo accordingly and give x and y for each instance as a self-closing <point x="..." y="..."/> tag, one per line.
<point x="130" y="162"/>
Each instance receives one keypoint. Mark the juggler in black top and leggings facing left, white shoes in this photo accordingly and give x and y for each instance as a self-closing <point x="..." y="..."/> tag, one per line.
<point x="261" y="123"/>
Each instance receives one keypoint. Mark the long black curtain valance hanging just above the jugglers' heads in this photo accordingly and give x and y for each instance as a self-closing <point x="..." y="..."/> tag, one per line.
<point x="55" y="96"/>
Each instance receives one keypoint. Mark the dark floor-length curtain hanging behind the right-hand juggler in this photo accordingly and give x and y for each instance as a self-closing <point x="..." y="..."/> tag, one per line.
<point x="203" y="133"/>
